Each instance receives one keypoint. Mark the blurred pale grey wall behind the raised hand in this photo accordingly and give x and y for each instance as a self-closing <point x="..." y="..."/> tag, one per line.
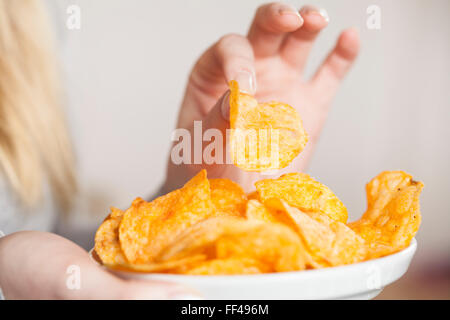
<point x="126" y="68"/>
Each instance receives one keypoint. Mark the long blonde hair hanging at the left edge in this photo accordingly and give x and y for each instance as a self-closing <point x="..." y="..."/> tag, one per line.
<point x="34" y="142"/>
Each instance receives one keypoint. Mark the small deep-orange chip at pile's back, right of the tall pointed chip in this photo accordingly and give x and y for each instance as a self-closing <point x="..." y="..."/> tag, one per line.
<point x="228" y="197"/>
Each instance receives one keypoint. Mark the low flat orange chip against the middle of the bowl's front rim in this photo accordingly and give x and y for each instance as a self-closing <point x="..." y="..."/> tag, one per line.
<point x="226" y="266"/>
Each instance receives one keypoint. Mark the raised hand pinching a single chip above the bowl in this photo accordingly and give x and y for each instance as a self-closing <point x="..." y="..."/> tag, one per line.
<point x="269" y="63"/>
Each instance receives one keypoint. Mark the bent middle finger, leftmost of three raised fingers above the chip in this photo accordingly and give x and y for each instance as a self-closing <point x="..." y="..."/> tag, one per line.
<point x="270" y="25"/>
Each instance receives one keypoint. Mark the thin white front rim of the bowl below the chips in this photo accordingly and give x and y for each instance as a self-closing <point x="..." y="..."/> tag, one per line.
<point x="408" y="251"/>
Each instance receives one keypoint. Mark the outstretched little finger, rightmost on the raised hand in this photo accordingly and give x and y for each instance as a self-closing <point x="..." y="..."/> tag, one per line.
<point x="337" y="64"/>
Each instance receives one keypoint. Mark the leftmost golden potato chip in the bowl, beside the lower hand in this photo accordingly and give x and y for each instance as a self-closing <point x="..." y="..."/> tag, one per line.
<point x="107" y="245"/>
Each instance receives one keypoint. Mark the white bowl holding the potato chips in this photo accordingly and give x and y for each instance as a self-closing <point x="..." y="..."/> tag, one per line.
<point x="363" y="280"/>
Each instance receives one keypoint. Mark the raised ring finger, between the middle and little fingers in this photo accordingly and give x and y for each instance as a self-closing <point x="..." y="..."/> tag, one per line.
<point x="297" y="45"/>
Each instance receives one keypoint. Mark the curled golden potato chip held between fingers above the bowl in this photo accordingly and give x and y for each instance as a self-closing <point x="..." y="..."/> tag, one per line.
<point x="265" y="136"/>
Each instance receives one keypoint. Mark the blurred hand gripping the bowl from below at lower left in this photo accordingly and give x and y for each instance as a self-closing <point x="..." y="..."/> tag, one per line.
<point x="34" y="266"/>
